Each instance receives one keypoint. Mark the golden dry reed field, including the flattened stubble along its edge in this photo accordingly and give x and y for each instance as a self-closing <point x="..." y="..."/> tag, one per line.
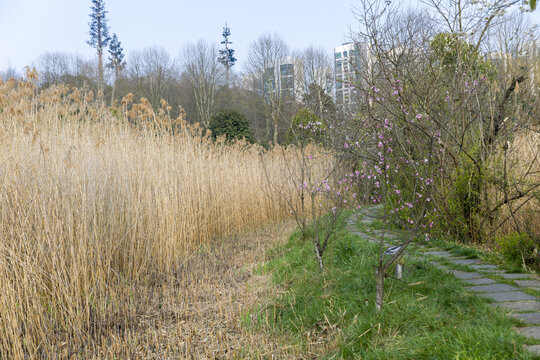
<point x="118" y="230"/>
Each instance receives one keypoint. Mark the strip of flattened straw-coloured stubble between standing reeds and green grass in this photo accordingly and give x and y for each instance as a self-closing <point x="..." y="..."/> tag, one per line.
<point x="199" y="312"/>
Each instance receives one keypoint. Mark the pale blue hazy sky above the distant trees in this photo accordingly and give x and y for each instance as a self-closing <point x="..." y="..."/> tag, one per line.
<point x="31" y="27"/>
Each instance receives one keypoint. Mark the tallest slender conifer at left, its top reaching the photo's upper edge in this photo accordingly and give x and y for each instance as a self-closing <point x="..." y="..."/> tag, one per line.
<point x="99" y="34"/>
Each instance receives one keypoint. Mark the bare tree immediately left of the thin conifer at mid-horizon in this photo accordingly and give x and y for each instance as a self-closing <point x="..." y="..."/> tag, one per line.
<point x="205" y="75"/>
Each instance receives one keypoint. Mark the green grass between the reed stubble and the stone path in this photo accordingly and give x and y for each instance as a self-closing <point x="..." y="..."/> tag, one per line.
<point x="427" y="314"/>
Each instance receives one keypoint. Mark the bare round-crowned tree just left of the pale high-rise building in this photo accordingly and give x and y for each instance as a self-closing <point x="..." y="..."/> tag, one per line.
<point x="264" y="66"/>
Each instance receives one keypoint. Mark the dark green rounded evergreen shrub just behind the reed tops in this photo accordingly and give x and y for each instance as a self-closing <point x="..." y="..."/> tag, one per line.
<point x="232" y="124"/>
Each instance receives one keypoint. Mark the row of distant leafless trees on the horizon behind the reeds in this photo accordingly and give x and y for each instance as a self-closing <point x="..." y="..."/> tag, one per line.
<point x="194" y="80"/>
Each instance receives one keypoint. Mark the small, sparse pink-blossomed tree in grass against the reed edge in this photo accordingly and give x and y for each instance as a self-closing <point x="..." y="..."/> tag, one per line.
<point x="316" y="173"/>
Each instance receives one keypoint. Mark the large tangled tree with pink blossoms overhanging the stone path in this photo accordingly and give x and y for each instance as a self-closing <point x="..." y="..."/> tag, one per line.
<point x="432" y="125"/>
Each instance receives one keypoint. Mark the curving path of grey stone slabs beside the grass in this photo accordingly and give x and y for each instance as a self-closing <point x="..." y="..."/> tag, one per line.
<point x="486" y="280"/>
